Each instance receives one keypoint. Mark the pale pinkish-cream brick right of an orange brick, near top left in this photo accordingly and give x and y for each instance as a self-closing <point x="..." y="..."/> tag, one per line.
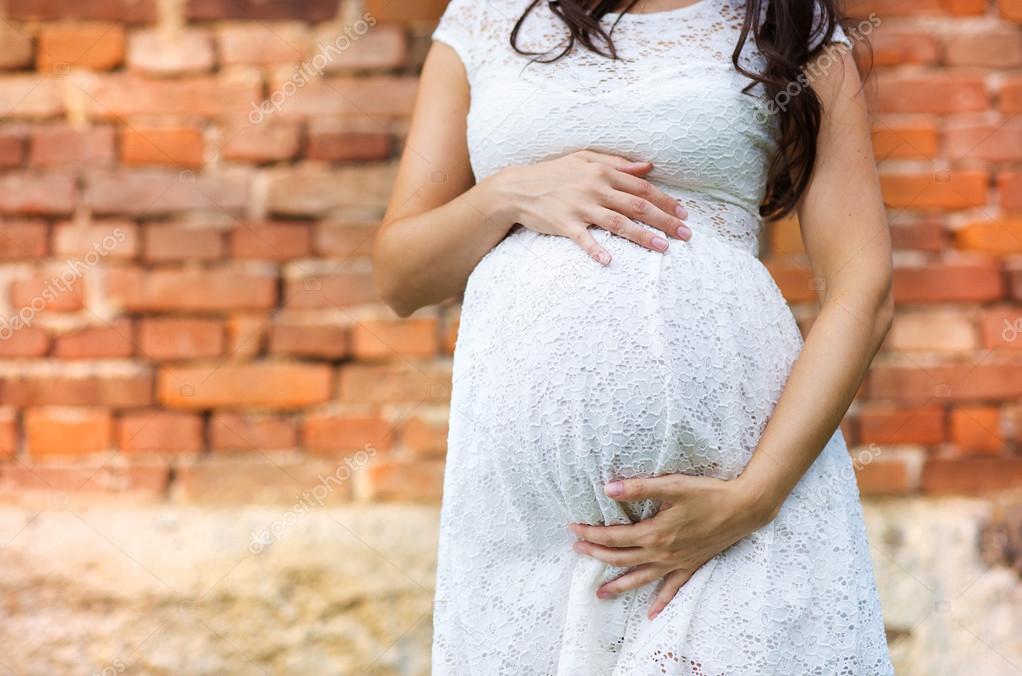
<point x="178" y="53"/>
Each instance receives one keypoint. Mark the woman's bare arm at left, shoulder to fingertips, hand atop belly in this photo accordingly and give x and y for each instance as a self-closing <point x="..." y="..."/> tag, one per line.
<point x="441" y="223"/>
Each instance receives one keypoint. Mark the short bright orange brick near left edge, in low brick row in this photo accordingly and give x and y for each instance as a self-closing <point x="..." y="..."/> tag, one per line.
<point x="67" y="431"/>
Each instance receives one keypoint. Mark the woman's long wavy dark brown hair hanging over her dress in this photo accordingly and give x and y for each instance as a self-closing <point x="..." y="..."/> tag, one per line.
<point x="783" y="37"/>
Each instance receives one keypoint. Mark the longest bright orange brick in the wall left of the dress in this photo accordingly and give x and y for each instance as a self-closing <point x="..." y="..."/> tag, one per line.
<point x="269" y="386"/>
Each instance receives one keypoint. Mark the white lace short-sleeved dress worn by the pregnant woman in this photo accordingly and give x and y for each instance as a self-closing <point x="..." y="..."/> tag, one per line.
<point x="569" y="375"/>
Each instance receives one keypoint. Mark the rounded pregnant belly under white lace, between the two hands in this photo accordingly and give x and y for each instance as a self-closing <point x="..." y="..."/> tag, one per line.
<point x="569" y="375"/>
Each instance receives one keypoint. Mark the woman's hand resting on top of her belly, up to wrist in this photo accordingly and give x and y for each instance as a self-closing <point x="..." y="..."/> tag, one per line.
<point x="567" y="196"/>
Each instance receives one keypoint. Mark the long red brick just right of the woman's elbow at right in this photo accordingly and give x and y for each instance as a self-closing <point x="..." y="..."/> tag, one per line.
<point x="952" y="282"/>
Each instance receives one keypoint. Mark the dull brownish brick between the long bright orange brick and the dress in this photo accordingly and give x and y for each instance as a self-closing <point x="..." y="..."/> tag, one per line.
<point x="398" y="383"/>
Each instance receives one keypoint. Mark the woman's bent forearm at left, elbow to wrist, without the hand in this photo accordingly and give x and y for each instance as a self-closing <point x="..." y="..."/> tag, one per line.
<point x="428" y="258"/>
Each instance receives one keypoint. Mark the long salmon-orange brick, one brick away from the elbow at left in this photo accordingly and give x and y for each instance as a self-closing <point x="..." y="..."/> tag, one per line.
<point x="200" y="291"/>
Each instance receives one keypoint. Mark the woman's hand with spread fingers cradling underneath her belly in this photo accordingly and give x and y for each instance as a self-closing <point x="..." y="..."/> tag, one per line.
<point x="700" y="518"/>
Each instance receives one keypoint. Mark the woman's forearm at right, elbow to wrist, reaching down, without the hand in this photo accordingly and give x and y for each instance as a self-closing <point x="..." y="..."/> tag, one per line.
<point x="838" y="353"/>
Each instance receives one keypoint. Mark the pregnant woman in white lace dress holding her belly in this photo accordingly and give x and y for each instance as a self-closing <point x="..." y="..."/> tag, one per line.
<point x="645" y="475"/>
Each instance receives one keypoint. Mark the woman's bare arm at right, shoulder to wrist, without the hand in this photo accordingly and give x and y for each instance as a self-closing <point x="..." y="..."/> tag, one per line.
<point x="846" y="232"/>
